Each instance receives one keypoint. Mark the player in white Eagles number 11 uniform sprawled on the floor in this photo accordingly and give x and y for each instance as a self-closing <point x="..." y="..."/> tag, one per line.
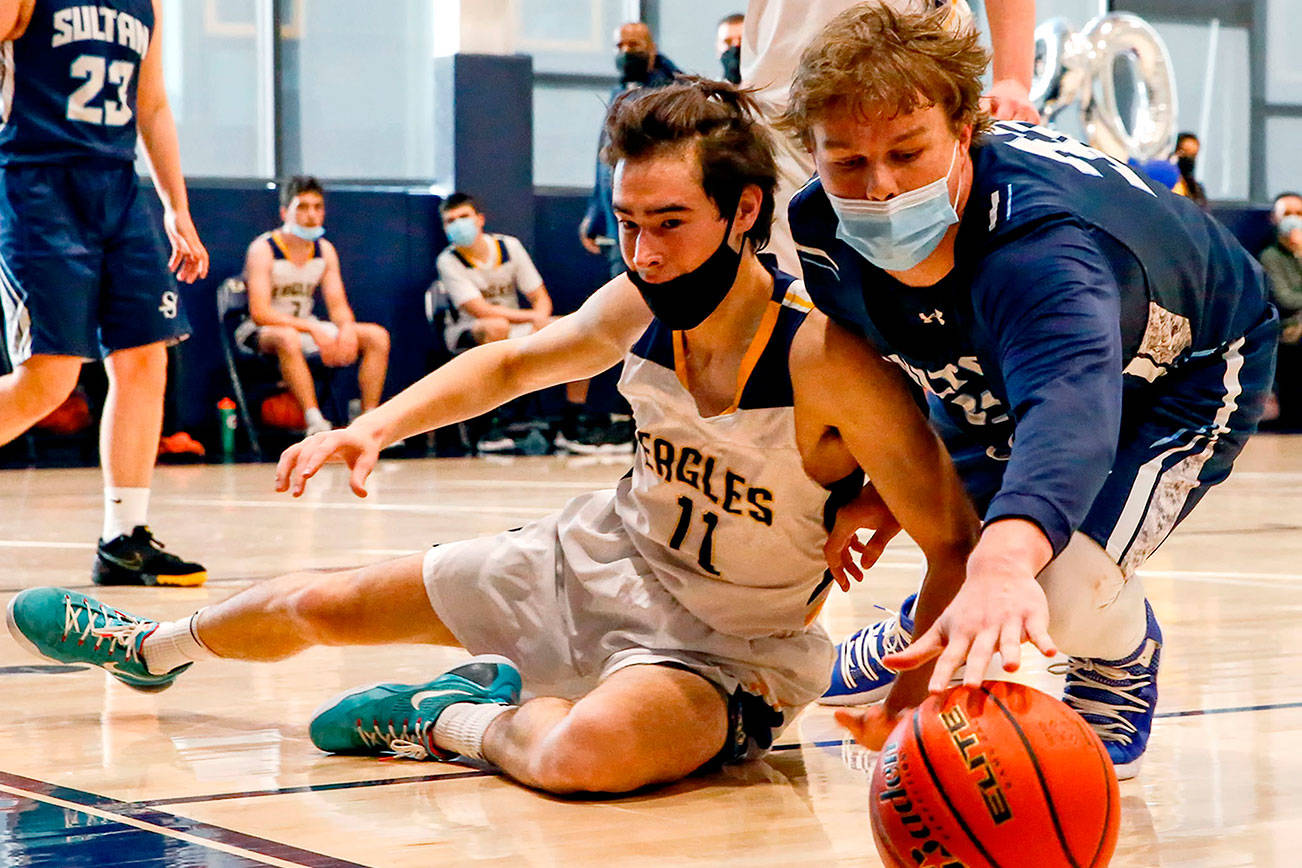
<point x="662" y="625"/>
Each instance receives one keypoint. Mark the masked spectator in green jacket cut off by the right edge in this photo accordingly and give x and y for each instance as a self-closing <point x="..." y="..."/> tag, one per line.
<point x="1283" y="265"/>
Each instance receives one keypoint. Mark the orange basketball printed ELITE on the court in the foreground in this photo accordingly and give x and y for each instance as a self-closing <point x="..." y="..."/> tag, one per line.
<point x="999" y="775"/>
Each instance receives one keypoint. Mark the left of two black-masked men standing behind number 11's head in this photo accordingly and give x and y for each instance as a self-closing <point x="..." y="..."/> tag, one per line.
<point x="640" y="66"/>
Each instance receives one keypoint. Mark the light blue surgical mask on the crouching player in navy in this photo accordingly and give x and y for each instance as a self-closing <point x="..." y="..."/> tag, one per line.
<point x="902" y="232"/>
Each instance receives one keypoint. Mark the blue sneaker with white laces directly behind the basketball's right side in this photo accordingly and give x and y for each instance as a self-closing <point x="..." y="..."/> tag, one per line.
<point x="1118" y="698"/>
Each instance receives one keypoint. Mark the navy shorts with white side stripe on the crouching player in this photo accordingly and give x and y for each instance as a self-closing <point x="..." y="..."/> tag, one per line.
<point x="1178" y="442"/>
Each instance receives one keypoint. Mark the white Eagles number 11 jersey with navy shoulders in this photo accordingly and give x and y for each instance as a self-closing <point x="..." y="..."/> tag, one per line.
<point x="721" y="507"/>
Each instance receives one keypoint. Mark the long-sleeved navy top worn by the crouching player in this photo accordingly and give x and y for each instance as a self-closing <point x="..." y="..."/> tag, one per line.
<point x="1079" y="287"/>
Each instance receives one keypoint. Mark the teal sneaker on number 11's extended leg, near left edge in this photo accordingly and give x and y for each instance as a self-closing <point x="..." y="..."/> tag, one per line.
<point x="71" y="628"/>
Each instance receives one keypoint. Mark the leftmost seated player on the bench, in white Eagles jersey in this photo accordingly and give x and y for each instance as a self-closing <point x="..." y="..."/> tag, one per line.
<point x="283" y="271"/>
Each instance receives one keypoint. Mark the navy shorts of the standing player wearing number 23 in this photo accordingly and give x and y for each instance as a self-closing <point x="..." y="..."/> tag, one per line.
<point x="83" y="264"/>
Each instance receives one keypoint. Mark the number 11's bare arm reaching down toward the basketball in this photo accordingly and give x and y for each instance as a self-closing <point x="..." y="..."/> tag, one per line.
<point x="843" y="386"/>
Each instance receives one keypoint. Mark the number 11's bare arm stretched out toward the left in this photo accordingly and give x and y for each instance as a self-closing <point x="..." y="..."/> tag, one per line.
<point x="574" y="348"/>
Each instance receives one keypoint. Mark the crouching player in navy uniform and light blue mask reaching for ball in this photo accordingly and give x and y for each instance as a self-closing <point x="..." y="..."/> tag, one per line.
<point x="1094" y="348"/>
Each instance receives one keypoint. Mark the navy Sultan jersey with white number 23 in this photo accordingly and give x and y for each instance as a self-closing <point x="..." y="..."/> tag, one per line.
<point x="71" y="80"/>
